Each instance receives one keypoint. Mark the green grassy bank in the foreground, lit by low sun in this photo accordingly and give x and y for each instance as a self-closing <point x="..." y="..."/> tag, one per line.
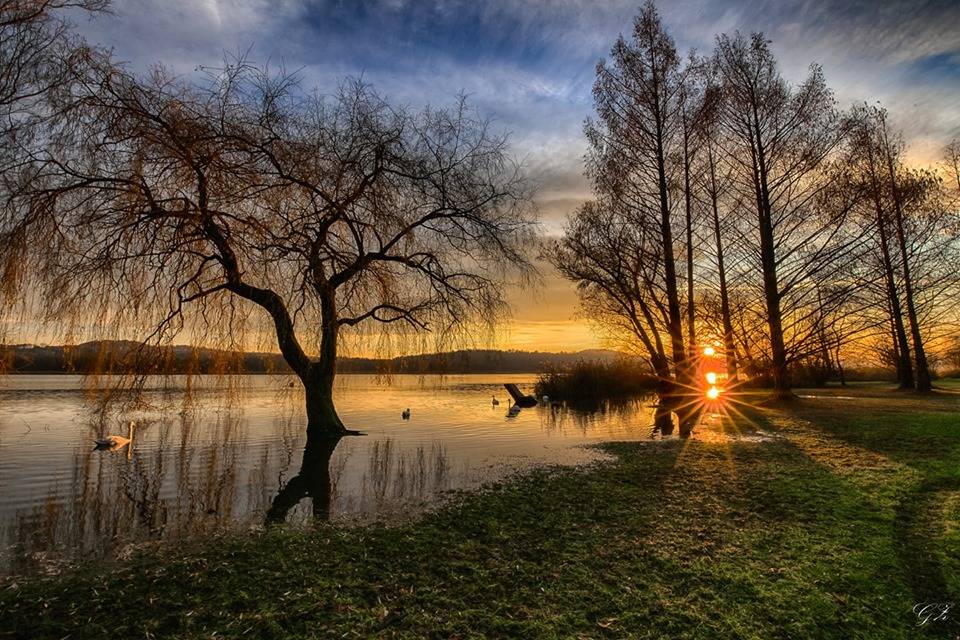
<point x="834" y="529"/>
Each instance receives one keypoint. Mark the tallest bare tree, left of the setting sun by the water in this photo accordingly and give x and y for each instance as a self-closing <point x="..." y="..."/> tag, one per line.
<point x="635" y="143"/>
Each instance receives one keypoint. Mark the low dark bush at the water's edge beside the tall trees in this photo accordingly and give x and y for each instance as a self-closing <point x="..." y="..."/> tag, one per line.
<point x="587" y="382"/>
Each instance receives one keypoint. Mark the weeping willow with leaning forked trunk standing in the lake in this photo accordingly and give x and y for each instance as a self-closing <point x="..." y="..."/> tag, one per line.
<point x="201" y="207"/>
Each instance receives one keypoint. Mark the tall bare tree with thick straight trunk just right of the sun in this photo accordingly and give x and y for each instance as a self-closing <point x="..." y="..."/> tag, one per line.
<point x="780" y="140"/>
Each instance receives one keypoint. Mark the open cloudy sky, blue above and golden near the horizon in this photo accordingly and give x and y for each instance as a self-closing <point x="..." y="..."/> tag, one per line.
<point x="529" y="65"/>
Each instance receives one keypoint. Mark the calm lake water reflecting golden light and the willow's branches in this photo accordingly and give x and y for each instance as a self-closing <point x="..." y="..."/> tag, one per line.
<point x="215" y="454"/>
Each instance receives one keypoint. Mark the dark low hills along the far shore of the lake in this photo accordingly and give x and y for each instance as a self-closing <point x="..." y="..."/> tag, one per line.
<point x="133" y="357"/>
